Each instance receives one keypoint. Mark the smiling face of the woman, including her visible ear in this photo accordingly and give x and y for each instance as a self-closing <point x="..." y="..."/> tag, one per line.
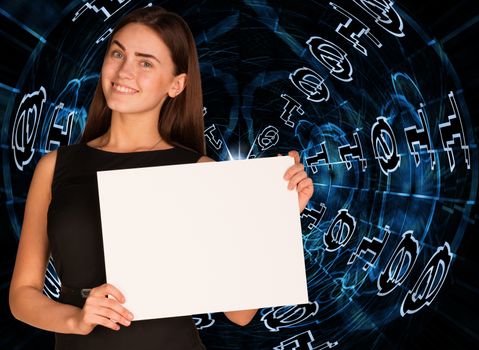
<point x="138" y="72"/>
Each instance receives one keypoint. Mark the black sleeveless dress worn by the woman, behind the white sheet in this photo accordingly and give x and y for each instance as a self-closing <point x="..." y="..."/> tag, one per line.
<point x="74" y="232"/>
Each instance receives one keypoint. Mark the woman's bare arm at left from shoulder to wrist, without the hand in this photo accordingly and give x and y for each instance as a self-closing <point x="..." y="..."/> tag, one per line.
<point x="27" y="301"/>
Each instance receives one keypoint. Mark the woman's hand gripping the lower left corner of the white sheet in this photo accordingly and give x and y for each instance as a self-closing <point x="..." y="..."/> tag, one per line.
<point x="100" y="310"/>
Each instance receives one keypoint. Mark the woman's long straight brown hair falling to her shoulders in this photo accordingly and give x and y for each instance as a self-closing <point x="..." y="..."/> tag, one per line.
<point x="181" y="118"/>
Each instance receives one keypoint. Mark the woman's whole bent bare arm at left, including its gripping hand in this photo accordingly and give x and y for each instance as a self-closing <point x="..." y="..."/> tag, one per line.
<point x="27" y="301"/>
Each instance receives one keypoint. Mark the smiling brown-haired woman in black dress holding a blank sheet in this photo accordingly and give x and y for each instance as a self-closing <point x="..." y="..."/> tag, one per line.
<point x="146" y="111"/>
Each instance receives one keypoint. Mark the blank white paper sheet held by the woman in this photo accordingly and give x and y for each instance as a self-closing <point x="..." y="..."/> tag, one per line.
<point x="205" y="237"/>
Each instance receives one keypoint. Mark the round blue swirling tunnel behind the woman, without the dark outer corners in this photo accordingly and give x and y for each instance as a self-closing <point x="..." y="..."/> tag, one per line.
<point x="372" y="104"/>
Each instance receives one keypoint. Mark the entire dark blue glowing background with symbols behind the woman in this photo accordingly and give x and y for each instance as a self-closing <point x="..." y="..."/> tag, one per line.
<point x="413" y="64"/>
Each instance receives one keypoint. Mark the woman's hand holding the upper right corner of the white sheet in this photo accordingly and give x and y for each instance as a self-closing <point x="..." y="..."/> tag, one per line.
<point x="299" y="179"/>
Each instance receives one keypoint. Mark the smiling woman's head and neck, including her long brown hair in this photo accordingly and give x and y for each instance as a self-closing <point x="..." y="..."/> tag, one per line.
<point x="150" y="69"/>
